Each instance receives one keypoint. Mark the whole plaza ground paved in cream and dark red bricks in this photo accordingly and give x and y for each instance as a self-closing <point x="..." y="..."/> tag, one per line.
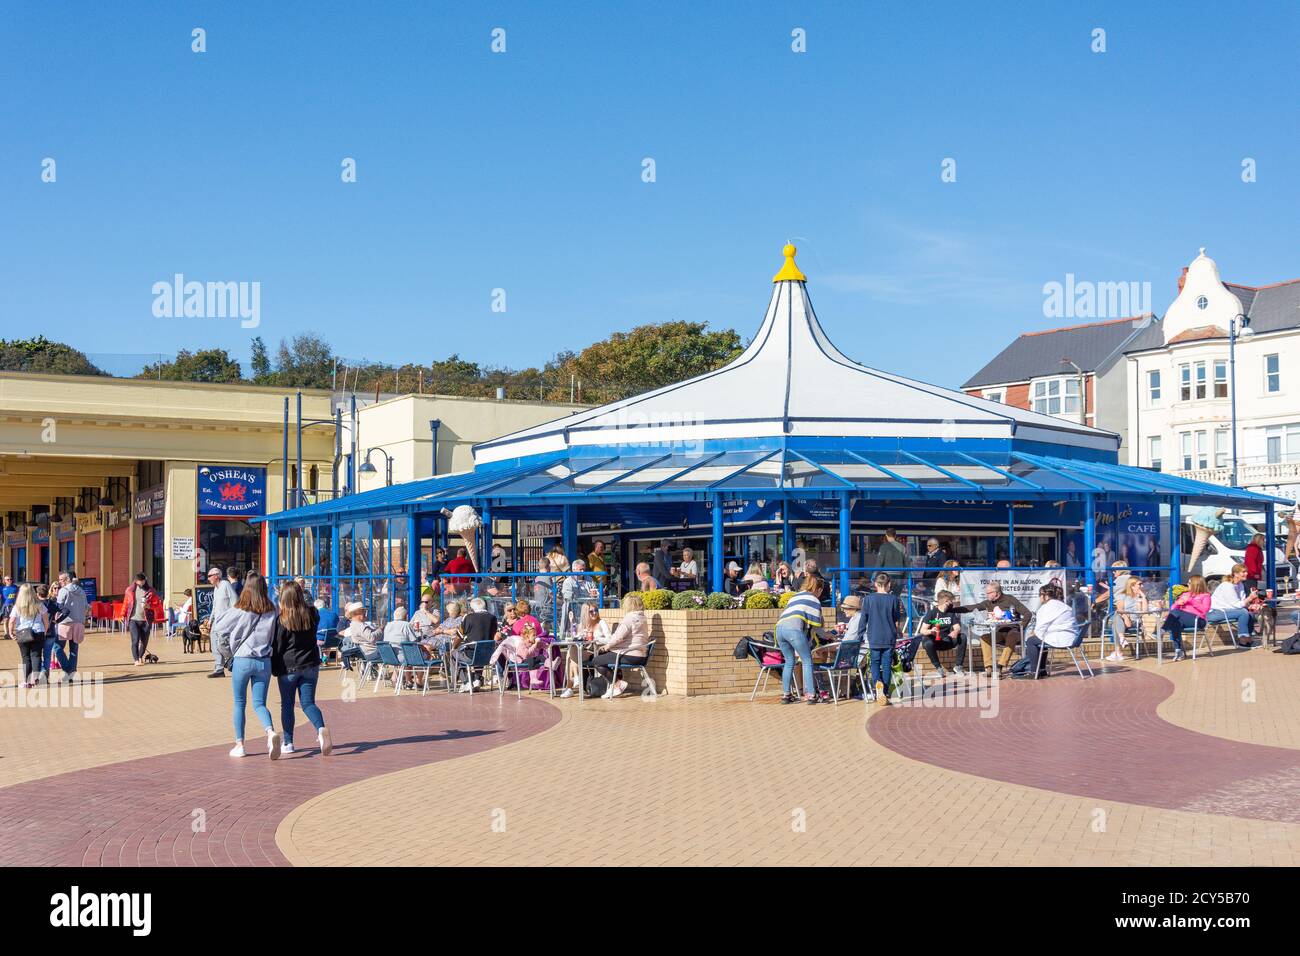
<point x="671" y="781"/>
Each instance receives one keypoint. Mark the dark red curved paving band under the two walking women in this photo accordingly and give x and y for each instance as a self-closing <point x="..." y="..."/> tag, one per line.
<point x="144" y="812"/>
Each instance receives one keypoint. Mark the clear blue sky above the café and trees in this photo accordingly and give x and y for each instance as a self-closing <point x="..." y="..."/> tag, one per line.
<point x="523" y="171"/>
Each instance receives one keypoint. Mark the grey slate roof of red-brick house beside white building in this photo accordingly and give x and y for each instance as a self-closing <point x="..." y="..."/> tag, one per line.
<point x="1094" y="348"/>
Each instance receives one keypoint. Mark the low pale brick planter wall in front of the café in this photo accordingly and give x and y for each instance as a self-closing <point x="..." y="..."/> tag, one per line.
<point x="694" y="655"/>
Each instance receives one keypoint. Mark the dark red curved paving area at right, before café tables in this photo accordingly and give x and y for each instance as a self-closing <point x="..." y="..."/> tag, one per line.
<point x="1103" y="739"/>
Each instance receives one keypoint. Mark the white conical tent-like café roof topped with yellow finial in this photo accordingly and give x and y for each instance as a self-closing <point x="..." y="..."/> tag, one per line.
<point x="792" y="382"/>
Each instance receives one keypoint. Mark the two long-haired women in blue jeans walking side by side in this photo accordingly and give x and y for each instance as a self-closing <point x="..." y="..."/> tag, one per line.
<point x="263" y="642"/>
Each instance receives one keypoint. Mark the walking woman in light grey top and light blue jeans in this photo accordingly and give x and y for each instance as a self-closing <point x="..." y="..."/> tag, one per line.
<point x="246" y="633"/>
